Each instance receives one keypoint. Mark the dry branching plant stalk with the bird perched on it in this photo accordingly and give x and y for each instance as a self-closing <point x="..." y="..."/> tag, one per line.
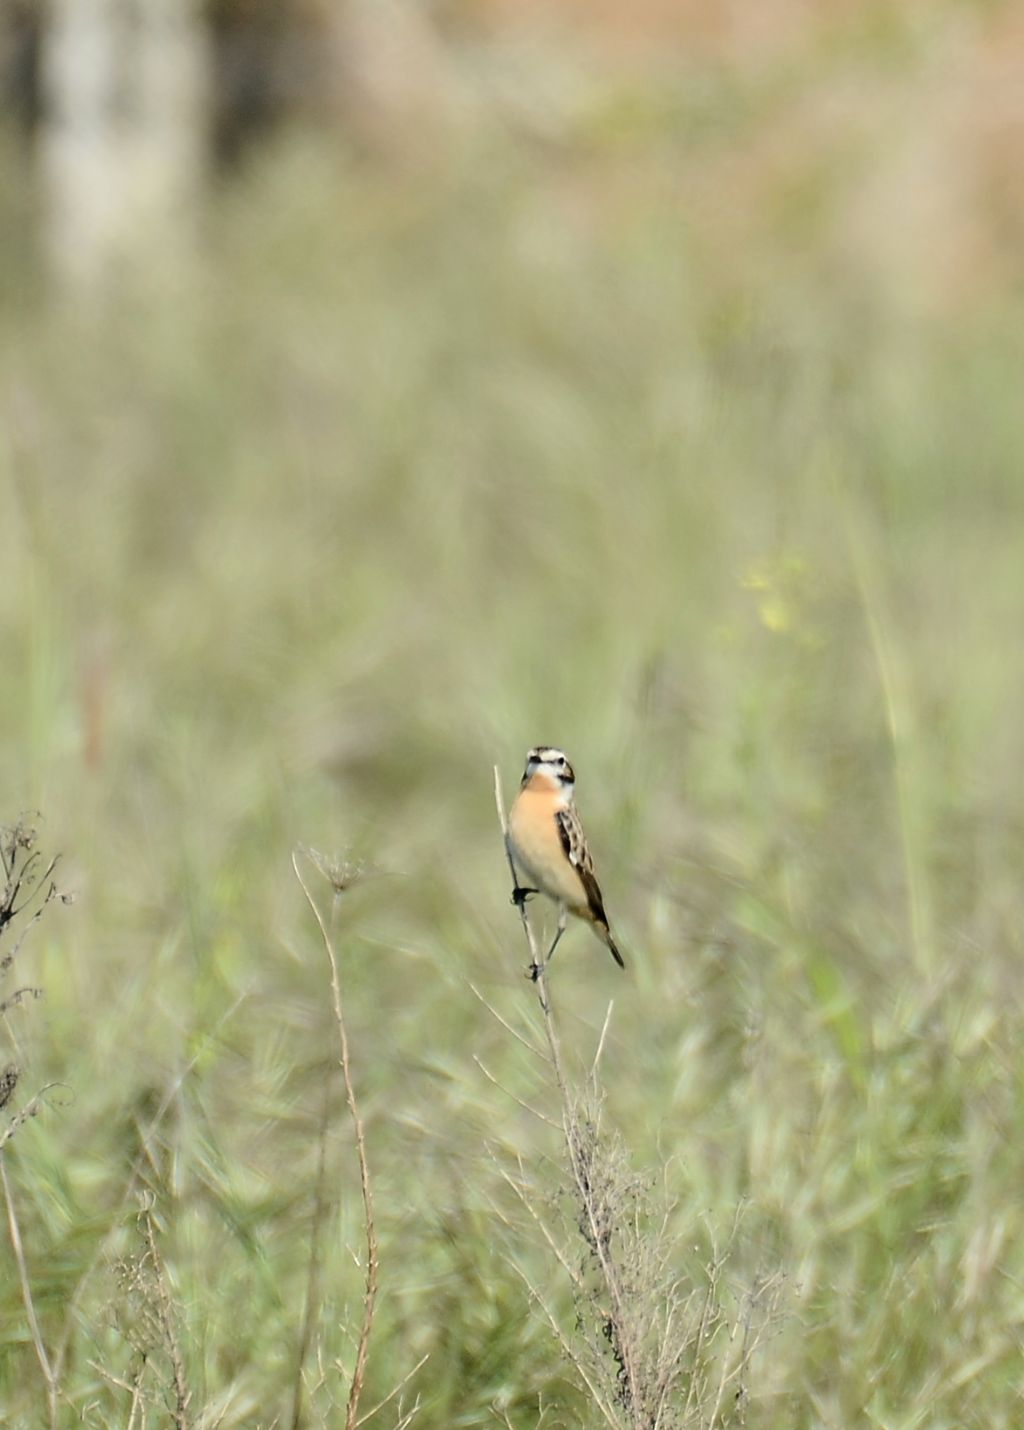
<point x="649" y="1358"/>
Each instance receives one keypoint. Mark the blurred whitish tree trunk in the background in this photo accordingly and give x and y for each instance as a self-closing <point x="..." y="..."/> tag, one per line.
<point x="122" y="135"/>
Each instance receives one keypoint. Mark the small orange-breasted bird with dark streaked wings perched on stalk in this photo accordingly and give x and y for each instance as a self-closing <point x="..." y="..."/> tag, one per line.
<point x="547" y="842"/>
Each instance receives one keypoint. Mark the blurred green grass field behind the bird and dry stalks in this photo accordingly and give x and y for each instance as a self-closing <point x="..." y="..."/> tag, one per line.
<point x="407" y="474"/>
